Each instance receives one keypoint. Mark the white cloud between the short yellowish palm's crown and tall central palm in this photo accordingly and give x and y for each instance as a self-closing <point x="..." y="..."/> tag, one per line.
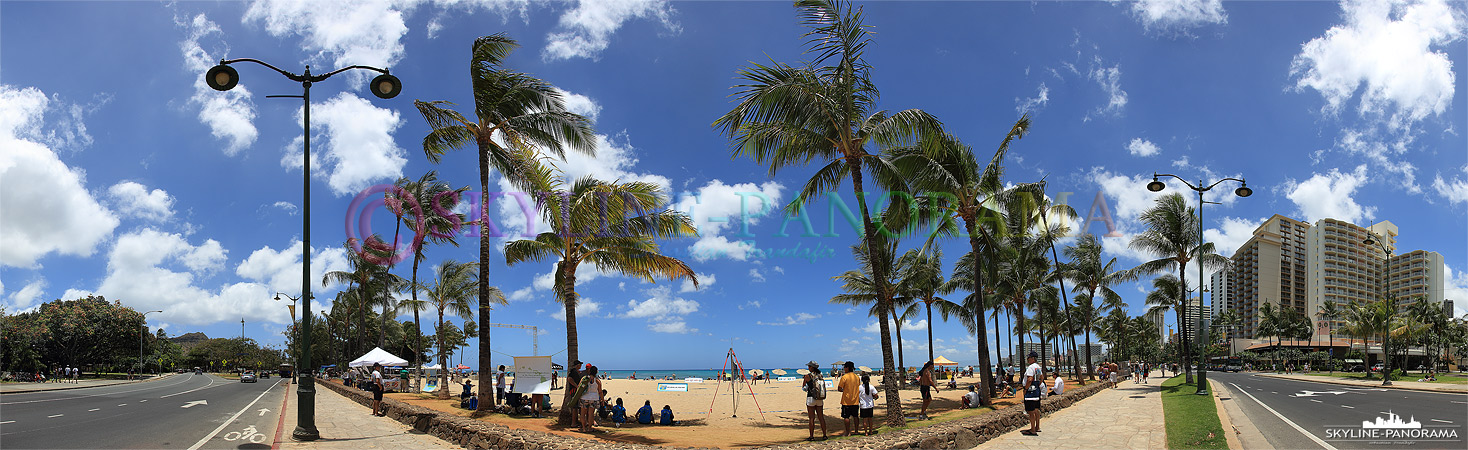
<point x="717" y="207"/>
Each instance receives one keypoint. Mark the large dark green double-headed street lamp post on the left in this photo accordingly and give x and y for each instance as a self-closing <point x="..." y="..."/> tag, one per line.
<point x="385" y="86"/>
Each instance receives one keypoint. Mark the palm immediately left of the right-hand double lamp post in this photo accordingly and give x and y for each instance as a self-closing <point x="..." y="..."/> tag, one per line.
<point x="1172" y="234"/>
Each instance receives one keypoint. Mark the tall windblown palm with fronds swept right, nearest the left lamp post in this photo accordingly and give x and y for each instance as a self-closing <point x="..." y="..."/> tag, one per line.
<point x="516" y="118"/>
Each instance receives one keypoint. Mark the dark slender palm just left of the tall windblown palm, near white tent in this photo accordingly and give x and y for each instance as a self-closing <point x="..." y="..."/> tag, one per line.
<point x="426" y="206"/>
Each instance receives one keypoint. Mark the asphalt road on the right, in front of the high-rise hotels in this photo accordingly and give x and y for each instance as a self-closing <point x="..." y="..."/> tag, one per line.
<point x="1319" y="416"/>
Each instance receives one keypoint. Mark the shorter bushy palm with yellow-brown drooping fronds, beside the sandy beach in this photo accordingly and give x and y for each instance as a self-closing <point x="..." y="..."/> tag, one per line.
<point x="611" y="226"/>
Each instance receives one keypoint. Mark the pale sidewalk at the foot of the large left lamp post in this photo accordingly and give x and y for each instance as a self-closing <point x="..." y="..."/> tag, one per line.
<point x="344" y="424"/>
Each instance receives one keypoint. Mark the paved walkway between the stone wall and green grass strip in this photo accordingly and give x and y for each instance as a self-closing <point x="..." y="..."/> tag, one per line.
<point x="1127" y="417"/>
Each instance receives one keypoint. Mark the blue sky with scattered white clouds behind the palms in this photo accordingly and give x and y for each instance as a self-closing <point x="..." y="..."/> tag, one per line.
<point x="126" y="177"/>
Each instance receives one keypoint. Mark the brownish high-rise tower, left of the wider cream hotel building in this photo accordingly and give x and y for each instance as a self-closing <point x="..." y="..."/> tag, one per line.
<point x="1271" y="268"/>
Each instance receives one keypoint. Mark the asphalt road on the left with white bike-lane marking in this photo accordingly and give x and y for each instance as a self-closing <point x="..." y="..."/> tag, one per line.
<point x="177" y="413"/>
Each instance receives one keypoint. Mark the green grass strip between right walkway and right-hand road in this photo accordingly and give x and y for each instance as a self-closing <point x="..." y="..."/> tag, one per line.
<point x="1193" y="420"/>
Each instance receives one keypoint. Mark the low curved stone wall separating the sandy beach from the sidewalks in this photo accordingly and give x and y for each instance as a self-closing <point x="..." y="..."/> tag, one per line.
<point x="479" y="435"/>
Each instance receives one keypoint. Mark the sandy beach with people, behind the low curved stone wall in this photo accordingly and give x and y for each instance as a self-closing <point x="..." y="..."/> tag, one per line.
<point x="707" y="413"/>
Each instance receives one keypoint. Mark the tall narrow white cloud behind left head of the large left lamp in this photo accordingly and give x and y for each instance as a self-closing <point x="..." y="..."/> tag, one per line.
<point x="228" y="115"/>
